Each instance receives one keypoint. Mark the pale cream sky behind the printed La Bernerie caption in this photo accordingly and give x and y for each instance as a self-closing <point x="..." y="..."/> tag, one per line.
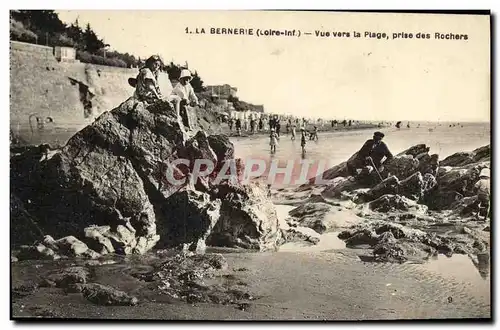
<point x="330" y="77"/>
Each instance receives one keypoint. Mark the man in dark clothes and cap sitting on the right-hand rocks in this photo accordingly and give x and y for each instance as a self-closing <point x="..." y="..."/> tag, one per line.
<point x="371" y="154"/>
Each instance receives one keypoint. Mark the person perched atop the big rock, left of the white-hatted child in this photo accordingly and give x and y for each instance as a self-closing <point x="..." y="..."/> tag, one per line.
<point x="146" y="84"/>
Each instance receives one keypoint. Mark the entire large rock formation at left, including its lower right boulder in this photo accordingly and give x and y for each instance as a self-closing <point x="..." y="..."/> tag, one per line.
<point x="116" y="174"/>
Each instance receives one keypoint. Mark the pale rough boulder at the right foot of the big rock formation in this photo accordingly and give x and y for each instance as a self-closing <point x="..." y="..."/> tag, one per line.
<point x="248" y="219"/>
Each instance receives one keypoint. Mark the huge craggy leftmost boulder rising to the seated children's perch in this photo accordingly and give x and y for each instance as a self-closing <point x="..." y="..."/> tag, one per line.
<point x="101" y="175"/>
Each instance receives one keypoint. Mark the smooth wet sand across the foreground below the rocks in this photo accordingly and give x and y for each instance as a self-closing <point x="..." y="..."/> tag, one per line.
<point x="328" y="285"/>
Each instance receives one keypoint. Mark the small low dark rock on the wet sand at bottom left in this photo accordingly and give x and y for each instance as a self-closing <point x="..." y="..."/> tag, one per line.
<point x="107" y="296"/>
